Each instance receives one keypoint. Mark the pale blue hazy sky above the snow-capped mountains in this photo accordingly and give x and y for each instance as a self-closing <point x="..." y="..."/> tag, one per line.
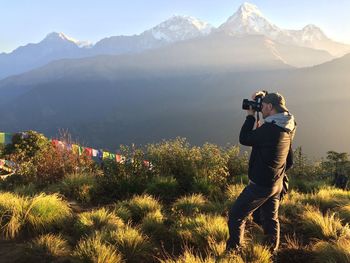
<point x="29" y="21"/>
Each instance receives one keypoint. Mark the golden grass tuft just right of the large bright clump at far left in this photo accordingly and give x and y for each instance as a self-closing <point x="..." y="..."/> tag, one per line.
<point x="101" y="219"/>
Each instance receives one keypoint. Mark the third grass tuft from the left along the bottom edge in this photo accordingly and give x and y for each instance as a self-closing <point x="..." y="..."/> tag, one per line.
<point x="131" y="243"/>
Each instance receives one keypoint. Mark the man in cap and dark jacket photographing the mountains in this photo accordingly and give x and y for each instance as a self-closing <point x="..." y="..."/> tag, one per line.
<point x="271" y="144"/>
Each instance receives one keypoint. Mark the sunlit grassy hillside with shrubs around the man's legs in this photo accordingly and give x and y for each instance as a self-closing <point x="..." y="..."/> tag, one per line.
<point x="61" y="207"/>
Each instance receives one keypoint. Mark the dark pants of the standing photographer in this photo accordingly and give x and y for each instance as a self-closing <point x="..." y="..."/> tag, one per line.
<point x="251" y="198"/>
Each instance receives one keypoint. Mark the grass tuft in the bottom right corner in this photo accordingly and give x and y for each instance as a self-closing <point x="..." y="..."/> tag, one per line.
<point x="335" y="251"/>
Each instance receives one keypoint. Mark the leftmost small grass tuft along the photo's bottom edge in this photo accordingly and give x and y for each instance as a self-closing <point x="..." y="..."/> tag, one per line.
<point x="49" y="246"/>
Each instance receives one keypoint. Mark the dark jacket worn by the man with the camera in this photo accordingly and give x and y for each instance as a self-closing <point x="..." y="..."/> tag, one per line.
<point x="271" y="153"/>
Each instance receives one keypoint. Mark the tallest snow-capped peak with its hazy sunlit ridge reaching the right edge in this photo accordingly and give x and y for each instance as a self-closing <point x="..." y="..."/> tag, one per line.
<point x="249" y="20"/>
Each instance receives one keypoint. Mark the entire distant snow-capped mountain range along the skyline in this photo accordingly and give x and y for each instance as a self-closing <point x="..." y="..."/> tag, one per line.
<point x="247" y="20"/>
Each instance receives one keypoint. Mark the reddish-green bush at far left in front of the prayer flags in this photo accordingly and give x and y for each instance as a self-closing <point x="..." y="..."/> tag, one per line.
<point x="41" y="162"/>
